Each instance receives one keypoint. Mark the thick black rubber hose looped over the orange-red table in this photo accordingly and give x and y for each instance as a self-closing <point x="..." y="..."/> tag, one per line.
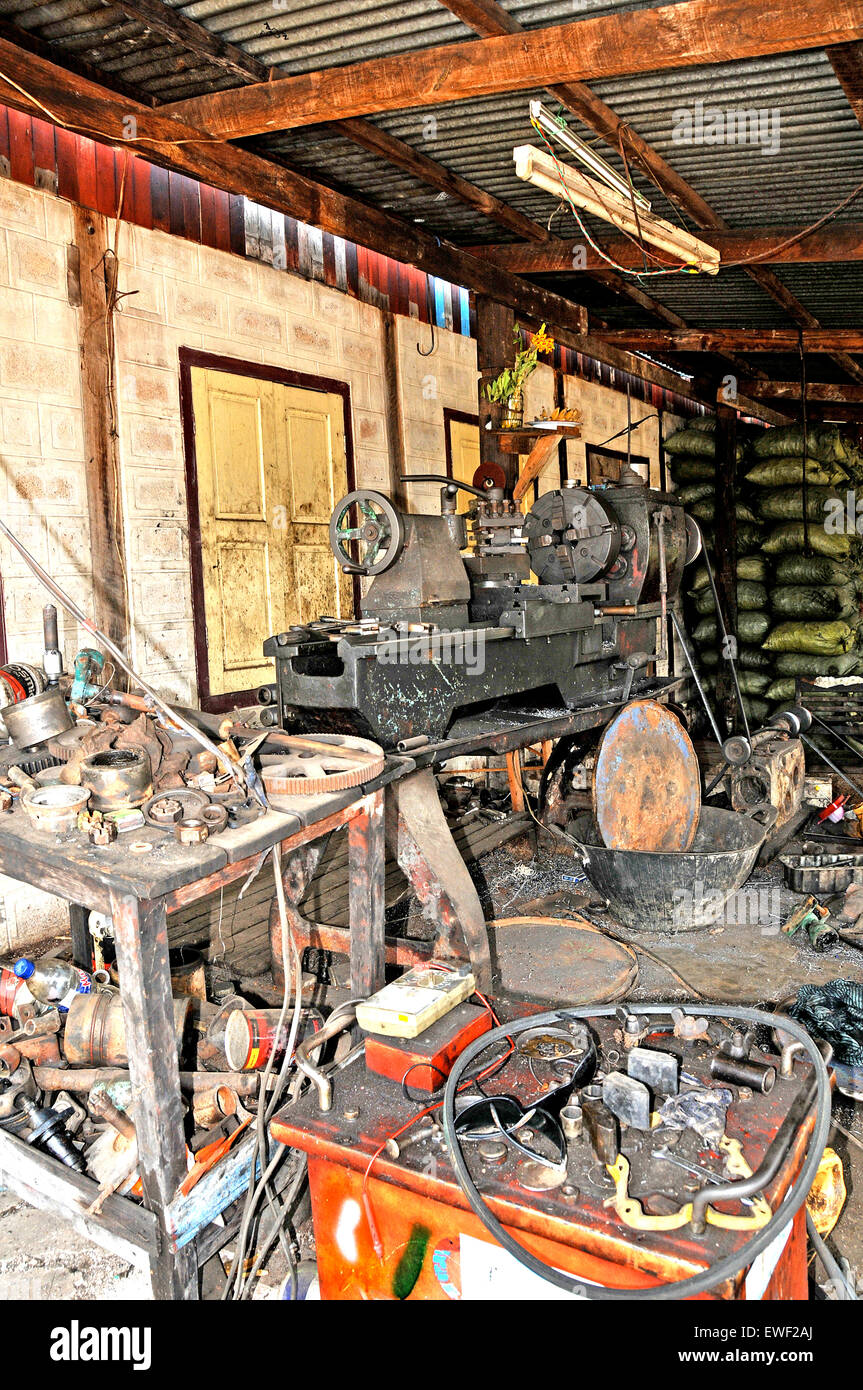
<point x="726" y="1268"/>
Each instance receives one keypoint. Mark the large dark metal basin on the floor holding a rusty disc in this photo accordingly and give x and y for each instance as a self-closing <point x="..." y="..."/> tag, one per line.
<point x="679" y="892"/>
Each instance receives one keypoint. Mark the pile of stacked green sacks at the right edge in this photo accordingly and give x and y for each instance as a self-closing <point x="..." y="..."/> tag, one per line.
<point x="800" y="611"/>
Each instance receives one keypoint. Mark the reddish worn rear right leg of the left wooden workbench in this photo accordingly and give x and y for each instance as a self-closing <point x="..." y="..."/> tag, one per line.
<point x="366" y="864"/>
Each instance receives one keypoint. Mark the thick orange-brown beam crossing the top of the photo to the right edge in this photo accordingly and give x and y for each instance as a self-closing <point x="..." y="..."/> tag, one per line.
<point x="672" y="37"/>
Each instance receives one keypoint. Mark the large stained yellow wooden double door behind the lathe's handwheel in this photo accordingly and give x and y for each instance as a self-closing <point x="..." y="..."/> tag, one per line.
<point x="270" y="466"/>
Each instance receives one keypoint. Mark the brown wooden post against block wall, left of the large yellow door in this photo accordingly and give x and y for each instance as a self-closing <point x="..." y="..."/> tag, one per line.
<point x="98" y="283"/>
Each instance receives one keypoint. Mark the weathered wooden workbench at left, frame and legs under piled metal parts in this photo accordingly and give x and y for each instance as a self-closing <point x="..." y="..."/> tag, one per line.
<point x="138" y="892"/>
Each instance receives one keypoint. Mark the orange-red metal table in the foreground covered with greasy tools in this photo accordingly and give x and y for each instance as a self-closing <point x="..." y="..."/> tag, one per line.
<point x="393" y="1221"/>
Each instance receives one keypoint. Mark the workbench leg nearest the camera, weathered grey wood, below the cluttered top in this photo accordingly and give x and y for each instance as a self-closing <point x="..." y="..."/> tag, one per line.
<point x="141" y="936"/>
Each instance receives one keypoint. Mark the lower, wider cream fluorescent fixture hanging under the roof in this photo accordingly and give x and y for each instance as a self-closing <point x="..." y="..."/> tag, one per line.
<point x="544" y="172"/>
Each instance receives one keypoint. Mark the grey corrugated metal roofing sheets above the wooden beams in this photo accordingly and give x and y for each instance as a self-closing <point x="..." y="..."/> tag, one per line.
<point x="818" y="163"/>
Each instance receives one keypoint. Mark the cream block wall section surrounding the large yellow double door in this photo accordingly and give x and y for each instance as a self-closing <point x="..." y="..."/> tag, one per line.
<point x="181" y="295"/>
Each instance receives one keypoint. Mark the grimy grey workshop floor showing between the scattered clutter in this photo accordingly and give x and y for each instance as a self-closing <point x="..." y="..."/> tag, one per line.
<point x="743" y="958"/>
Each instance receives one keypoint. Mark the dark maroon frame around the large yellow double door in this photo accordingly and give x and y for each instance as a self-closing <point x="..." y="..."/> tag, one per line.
<point x="191" y="358"/>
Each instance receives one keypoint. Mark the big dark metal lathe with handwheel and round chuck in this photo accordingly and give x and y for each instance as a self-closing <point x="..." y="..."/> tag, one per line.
<point x="443" y="632"/>
